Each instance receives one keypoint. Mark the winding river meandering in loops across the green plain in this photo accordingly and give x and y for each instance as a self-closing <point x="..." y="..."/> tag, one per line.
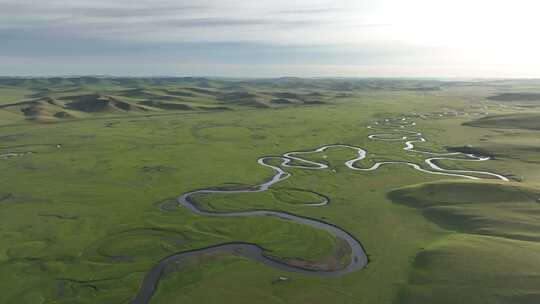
<point x="357" y="255"/>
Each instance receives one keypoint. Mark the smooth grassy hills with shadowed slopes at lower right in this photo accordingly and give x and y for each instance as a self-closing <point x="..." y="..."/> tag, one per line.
<point x="490" y="258"/>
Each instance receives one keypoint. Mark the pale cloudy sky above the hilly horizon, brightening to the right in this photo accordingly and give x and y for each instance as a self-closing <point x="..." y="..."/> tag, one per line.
<point x="241" y="38"/>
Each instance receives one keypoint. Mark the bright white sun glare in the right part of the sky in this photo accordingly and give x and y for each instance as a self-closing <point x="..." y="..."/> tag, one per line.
<point x="474" y="32"/>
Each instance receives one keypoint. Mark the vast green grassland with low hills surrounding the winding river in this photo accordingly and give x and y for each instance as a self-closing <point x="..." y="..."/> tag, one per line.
<point x="89" y="211"/>
